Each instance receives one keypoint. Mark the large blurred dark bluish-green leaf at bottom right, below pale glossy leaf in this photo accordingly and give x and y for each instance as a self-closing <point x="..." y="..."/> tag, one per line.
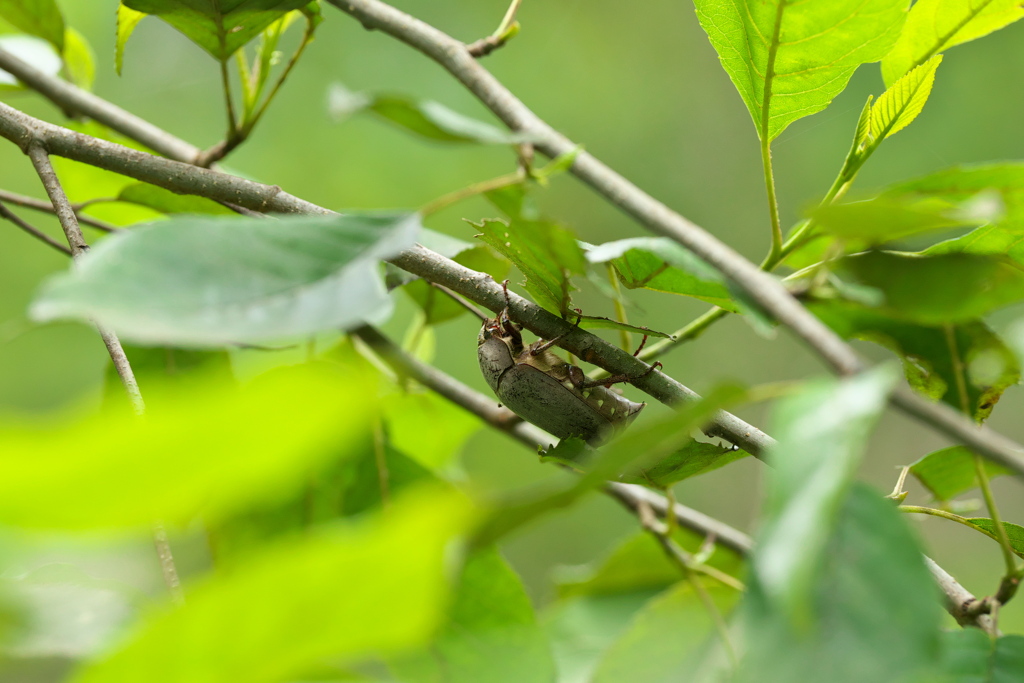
<point x="873" y="609"/>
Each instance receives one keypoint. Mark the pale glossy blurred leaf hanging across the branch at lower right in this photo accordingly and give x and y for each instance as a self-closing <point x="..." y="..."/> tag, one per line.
<point x="822" y="435"/>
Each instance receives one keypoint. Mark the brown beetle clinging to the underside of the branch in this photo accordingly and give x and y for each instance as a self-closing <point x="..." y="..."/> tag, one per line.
<point x="551" y="394"/>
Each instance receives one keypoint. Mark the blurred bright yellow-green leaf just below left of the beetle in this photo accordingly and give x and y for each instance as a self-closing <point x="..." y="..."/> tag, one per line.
<point x="430" y="429"/>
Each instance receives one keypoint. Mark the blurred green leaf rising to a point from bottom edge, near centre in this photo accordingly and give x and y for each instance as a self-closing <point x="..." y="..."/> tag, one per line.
<point x="491" y="633"/>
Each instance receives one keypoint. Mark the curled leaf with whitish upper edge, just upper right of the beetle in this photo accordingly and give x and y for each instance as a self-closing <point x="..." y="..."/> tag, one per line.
<point x="661" y="265"/>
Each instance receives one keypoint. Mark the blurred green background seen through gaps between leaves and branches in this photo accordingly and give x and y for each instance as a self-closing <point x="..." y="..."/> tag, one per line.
<point x="645" y="92"/>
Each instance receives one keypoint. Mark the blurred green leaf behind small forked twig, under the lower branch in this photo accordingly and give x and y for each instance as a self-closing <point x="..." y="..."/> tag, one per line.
<point x="639" y="564"/>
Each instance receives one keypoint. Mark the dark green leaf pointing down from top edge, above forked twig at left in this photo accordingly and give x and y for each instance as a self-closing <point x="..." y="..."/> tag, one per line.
<point x="220" y="28"/>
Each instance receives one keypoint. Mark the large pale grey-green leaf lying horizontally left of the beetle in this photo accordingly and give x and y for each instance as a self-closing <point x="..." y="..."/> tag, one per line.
<point x="209" y="282"/>
